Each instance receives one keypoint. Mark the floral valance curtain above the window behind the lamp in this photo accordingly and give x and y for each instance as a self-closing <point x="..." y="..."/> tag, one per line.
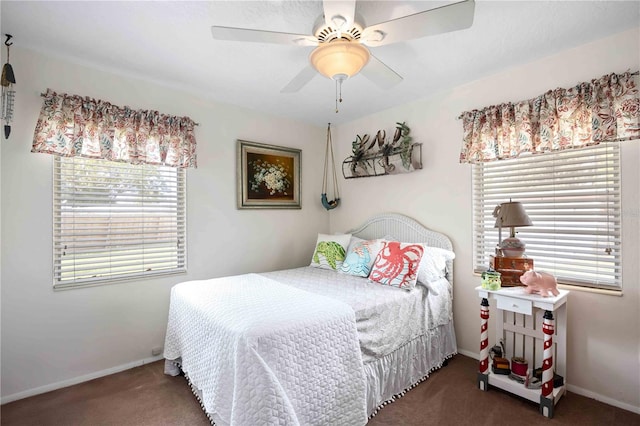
<point x="603" y="110"/>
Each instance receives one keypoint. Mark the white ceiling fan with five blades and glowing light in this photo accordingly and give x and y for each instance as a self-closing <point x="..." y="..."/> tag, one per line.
<point x="341" y="40"/>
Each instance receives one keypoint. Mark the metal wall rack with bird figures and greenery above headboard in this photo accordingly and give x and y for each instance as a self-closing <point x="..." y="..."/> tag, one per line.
<point x="380" y="156"/>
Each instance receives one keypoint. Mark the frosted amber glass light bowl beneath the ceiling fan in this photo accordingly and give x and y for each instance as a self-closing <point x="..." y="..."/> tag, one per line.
<point x="339" y="59"/>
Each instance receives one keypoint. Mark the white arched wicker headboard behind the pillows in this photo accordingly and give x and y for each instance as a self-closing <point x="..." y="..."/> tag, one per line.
<point x="405" y="229"/>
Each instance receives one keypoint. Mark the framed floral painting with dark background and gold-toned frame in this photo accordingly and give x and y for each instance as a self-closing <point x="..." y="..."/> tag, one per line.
<point x="268" y="176"/>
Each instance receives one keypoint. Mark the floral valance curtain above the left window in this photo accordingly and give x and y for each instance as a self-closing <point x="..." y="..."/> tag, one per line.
<point x="75" y="126"/>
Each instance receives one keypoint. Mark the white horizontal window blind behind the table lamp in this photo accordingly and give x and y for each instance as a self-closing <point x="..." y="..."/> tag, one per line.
<point x="573" y="200"/>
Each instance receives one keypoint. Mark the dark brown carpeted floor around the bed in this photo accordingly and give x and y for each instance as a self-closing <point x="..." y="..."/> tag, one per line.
<point x="145" y="396"/>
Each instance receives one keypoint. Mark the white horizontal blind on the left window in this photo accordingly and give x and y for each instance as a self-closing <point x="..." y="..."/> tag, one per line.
<point x="114" y="221"/>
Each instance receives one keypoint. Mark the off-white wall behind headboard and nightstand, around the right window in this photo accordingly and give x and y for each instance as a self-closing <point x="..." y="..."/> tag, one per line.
<point x="603" y="331"/>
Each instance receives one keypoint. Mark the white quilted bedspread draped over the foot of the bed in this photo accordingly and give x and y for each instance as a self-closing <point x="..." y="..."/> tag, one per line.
<point x="262" y="352"/>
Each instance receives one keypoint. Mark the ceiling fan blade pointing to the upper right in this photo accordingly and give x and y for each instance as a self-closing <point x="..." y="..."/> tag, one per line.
<point x="452" y="17"/>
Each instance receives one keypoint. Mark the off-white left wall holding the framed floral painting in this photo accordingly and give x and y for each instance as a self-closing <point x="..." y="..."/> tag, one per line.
<point x="51" y="338"/>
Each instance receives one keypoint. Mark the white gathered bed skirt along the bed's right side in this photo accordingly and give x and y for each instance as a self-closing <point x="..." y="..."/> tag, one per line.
<point x="391" y="376"/>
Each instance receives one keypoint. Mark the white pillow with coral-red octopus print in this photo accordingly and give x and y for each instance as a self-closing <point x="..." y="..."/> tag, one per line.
<point x="397" y="264"/>
